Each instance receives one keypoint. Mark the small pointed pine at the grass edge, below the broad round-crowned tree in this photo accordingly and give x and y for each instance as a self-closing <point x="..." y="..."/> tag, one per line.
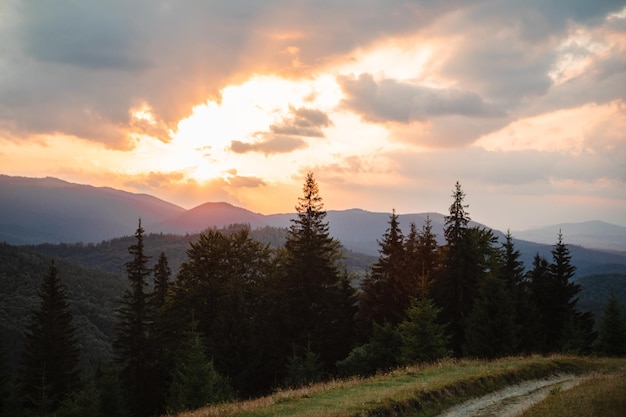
<point x="195" y="381"/>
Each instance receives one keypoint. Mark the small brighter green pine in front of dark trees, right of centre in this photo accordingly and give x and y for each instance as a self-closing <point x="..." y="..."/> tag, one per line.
<point x="423" y="338"/>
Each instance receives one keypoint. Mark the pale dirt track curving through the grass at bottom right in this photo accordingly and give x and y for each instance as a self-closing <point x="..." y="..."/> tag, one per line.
<point x="514" y="400"/>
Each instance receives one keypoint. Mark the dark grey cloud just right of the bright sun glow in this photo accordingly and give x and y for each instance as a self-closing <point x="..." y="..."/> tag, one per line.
<point x="396" y="101"/>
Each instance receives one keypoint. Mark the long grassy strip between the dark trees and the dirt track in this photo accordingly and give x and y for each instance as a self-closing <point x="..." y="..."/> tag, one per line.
<point x="425" y="389"/>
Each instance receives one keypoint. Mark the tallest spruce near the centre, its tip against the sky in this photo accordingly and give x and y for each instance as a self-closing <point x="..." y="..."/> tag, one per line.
<point x="320" y="308"/>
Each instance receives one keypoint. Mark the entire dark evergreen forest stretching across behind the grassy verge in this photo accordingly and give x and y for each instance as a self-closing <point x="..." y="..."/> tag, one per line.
<point x="241" y="318"/>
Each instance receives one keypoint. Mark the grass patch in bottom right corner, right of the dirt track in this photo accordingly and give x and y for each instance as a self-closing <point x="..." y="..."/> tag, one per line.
<point x="601" y="395"/>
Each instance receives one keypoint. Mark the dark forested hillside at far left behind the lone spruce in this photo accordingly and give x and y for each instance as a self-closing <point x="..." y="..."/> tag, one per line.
<point x="93" y="296"/>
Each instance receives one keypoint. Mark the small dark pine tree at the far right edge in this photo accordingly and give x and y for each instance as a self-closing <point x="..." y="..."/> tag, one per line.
<point x="612" y="330"/>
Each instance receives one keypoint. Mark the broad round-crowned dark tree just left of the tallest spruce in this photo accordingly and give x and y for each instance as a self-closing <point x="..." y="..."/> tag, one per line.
<point x="221" y="285"/>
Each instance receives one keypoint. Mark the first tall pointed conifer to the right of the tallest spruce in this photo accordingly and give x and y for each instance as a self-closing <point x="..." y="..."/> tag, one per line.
<point x="387" y="289"/>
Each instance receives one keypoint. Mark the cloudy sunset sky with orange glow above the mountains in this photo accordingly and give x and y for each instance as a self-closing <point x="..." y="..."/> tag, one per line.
<point x="387" y="102"/>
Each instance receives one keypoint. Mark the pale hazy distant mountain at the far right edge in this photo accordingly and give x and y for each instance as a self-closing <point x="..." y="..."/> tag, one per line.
<point x="592" y="234"/>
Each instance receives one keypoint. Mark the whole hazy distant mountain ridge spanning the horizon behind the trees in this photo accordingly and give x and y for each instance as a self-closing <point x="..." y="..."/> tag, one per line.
<point x="49" y="210"/>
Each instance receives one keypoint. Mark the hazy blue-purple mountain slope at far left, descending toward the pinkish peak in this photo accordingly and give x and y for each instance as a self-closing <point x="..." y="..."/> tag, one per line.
<point x="38" y="210"/>
